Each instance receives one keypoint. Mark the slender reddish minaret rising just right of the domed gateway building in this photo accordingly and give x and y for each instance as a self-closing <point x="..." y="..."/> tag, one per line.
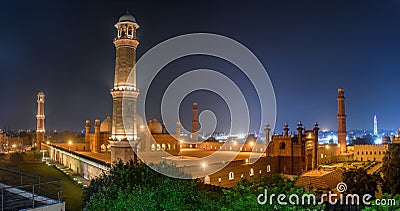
<point x="341" y="122"/>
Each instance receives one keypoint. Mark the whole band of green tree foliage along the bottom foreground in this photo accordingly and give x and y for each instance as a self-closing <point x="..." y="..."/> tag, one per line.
<point x="138" y="187"/>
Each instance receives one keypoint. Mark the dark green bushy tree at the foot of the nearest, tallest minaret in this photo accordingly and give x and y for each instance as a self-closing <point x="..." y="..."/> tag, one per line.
<point x="133" y="186"/>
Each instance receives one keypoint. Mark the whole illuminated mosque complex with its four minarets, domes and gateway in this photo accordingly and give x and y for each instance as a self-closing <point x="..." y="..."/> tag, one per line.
<point x="108" y="141"/>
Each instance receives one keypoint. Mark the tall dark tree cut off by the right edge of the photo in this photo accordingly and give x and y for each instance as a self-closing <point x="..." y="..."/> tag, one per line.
<point x="390" y="169"/>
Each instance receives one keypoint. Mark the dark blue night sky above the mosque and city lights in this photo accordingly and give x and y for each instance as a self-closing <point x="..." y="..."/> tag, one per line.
<point x="309" y="49"/>
